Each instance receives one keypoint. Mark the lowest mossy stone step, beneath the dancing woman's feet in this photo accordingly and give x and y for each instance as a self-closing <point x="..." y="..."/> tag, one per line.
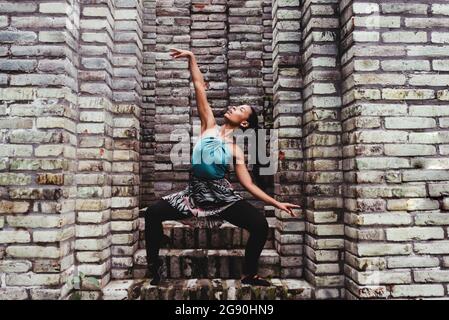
<point x="207" y="289"/>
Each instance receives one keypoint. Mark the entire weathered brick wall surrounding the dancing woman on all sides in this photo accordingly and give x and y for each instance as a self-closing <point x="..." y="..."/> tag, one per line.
<point x="355" y="90"/>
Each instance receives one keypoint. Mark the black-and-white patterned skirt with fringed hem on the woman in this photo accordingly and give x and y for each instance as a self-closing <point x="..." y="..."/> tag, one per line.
<point x="202" y="200"/>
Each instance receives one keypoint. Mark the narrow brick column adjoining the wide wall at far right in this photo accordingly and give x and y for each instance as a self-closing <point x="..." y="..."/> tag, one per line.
<point x="322" y="148"/>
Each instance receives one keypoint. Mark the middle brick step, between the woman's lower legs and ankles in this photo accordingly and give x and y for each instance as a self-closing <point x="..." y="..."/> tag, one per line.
<point x="207" y="263"/>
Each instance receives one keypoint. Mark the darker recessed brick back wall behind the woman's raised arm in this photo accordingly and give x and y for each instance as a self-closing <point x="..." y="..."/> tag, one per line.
<point x="230" y="41"/>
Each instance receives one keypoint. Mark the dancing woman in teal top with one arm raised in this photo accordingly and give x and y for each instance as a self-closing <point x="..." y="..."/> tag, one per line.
<point x="209" y="197"/>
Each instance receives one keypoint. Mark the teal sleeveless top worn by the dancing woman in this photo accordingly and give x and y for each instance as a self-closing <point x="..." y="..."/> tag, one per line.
<point x="211" y="157"/>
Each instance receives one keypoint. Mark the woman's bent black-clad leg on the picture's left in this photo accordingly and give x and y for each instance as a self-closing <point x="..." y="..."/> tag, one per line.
<point x="154" y="215"/>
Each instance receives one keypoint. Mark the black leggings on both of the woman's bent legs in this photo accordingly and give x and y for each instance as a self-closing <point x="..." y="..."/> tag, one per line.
<point x="241" y="214"/>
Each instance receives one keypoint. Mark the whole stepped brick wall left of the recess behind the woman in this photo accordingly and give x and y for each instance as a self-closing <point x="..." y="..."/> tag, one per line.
<point x="70" y="108"/>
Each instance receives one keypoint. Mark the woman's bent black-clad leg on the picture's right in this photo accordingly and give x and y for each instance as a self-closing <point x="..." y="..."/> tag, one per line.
<point x="244" y="215"/>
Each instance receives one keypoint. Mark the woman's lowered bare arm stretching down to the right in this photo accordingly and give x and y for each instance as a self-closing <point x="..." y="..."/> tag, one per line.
<point x="246" y="181"/>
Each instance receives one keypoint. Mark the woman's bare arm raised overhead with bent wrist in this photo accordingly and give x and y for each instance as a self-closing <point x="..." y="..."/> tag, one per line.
<point x="204" y="110"/>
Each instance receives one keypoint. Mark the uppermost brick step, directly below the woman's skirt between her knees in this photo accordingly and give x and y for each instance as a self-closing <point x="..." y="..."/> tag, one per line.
<point x="180" y="236"/>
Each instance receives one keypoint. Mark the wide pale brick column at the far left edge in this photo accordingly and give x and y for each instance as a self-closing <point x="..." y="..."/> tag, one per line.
<point x="38" y="113"/>
